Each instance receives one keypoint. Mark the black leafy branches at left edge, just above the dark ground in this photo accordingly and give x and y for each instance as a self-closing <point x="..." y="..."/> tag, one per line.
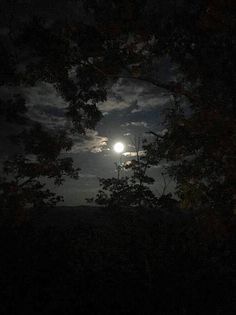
<point x="22" y="187"/>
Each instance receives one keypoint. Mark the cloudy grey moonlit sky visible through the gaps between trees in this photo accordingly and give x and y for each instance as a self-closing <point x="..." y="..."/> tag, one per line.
<point x="132" y="109"/>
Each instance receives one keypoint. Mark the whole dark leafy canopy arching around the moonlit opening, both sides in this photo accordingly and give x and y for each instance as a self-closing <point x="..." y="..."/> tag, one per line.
<point x="123" y="40"/>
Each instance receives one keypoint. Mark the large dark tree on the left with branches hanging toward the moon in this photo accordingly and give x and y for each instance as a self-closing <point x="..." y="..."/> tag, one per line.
<point x="62" y="54"/>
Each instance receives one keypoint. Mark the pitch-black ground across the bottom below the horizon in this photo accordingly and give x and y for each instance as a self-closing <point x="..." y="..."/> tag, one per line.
<point x="88" y="260"/>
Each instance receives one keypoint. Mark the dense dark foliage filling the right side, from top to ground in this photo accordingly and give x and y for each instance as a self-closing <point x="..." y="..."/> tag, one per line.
<point x="200" y="142"/>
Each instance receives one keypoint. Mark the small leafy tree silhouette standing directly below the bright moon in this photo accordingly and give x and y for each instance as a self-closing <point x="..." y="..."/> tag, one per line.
<point x="129" y="191"/>
